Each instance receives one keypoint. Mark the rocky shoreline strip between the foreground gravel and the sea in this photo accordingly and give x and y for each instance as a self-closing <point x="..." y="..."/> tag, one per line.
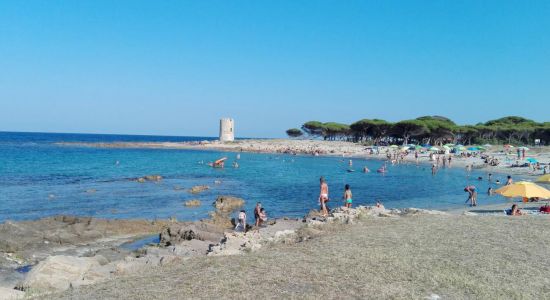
<point x="67" y="252"/>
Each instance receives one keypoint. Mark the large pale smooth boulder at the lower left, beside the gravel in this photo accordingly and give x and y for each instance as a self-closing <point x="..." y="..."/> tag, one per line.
<point x="58" y="273"/>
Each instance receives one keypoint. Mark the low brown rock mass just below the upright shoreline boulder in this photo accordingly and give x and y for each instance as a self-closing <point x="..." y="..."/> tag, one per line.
<point x="176" y="233"/>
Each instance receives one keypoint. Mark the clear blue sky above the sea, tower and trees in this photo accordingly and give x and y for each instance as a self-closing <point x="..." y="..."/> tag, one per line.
<point x="176" y="67"/>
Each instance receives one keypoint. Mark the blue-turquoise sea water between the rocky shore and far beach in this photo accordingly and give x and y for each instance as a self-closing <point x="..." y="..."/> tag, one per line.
<point x="39" y="178"/>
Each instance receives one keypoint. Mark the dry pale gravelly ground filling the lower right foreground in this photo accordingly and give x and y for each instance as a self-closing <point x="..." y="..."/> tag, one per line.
<point x="454" y="257"/>
